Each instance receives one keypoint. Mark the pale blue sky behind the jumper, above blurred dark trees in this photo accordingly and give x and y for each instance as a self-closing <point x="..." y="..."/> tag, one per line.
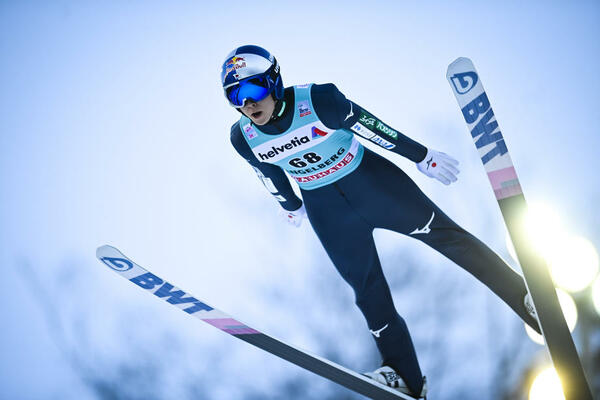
<point x="114" y="130"/>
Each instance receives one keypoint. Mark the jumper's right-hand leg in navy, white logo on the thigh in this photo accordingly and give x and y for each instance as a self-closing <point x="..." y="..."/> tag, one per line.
<point x="396" y="203"/>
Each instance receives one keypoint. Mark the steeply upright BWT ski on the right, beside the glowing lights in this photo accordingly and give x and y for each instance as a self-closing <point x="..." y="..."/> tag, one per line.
<point x="489" y="141"/>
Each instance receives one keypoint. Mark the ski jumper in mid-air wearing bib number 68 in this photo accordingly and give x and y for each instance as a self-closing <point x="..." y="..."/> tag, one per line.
<point x="309" y="131"/>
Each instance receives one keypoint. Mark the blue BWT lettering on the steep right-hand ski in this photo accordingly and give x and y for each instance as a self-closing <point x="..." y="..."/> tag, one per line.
<point x="486" y="131"/>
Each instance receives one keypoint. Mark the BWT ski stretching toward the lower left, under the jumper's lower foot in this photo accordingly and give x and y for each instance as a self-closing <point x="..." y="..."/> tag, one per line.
<point x="131" y="271"/>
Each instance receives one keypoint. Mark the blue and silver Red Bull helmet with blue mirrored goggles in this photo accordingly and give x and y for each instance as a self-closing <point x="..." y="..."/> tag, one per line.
<point x="250" y="72"/>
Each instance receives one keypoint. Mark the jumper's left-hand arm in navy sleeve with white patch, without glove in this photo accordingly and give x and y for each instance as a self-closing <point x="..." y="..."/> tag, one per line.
<point x="271" y="175"/>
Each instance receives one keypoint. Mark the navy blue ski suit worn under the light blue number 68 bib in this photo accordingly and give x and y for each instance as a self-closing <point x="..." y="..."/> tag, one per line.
<point x="378" y="194"/>
